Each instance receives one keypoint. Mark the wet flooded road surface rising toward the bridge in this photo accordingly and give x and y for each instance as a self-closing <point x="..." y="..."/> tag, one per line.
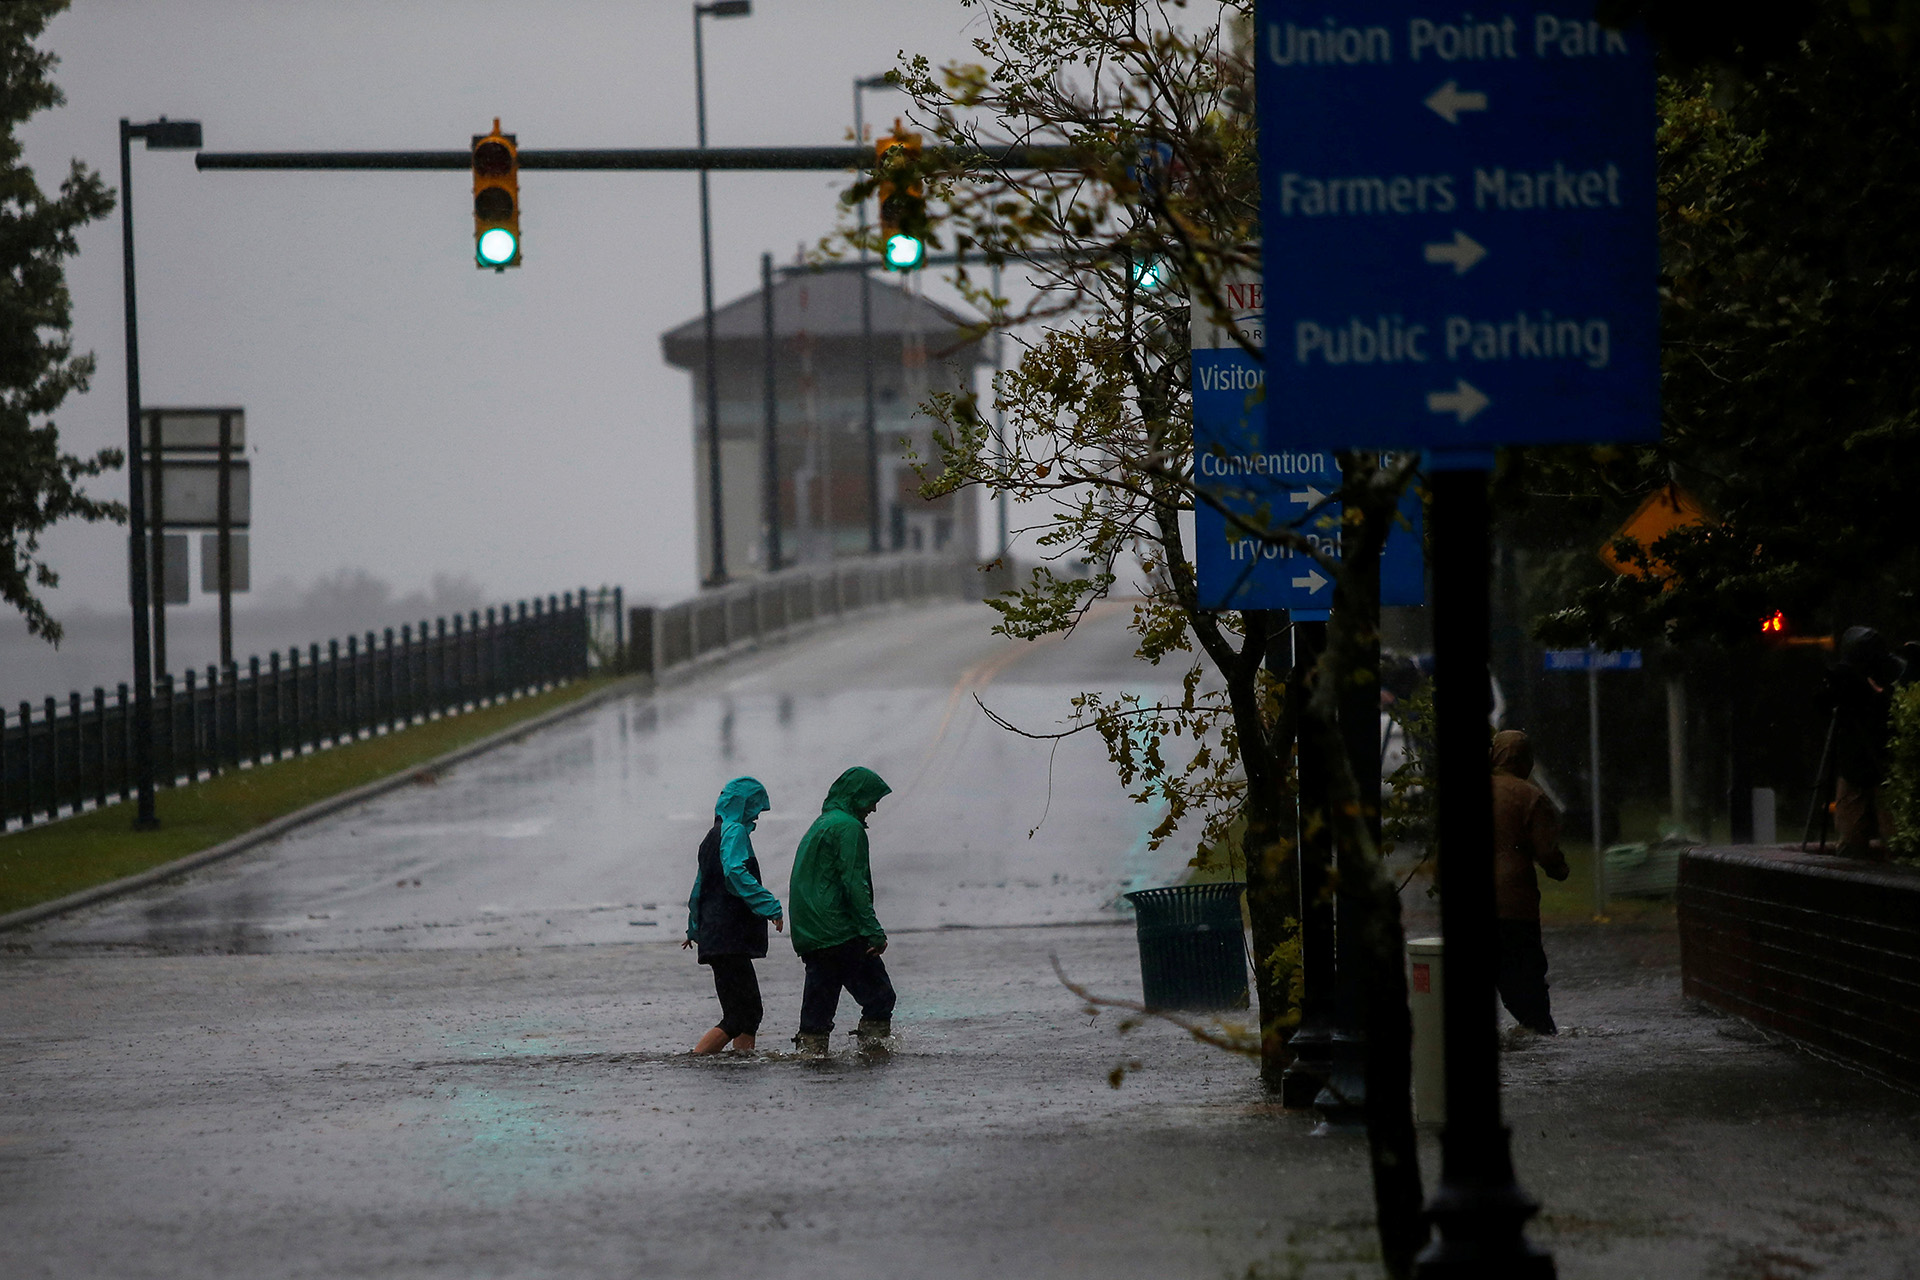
<point x="302" y="1064"/>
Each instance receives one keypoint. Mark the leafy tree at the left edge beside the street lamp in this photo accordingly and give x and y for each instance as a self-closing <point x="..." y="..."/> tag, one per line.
<point x="39" y="369"/>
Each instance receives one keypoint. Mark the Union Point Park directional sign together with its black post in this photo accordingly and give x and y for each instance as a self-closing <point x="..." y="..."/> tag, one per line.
<point x="1460" y="252"/>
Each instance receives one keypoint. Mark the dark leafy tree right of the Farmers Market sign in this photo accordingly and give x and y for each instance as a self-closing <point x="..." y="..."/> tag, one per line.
<point x="1790" y="168"/>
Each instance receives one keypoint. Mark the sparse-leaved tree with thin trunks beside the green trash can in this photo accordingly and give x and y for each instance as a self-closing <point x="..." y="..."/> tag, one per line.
<point x="1130" y="243"/>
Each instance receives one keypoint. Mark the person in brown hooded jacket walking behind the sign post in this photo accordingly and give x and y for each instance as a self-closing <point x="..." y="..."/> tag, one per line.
<point x="1525" y="834"/>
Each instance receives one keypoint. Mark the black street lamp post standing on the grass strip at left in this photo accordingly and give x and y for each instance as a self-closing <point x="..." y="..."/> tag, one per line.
<point x="158" y="135"/>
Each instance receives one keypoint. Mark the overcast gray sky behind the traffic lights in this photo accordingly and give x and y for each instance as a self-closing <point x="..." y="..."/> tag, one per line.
<point x="410" y="414"/>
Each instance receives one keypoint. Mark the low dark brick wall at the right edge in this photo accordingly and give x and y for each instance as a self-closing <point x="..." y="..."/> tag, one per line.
<point x="1815" y="947"/>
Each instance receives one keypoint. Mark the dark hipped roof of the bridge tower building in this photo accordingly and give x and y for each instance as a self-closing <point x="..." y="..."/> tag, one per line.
<point x="825" y="304"/>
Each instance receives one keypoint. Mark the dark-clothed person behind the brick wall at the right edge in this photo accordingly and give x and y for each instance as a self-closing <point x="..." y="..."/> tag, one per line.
<point x="1861" y="686"/>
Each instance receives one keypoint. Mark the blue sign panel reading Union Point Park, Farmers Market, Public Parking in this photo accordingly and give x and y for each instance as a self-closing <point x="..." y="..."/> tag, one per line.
<point x="1460" y="225"/>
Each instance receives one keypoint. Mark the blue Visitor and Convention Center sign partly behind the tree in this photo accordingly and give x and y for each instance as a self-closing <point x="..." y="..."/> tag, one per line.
<point x="1247" y="469"/>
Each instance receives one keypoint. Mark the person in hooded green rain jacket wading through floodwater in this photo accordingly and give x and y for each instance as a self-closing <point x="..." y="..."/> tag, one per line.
<point x="834" y="926"/>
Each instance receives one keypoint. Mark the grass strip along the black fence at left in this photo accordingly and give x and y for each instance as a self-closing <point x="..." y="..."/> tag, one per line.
<point x="66" y="857"/>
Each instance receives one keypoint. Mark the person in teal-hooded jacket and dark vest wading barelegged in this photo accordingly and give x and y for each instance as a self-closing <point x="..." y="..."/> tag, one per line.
<point x="729" y="913"/>
